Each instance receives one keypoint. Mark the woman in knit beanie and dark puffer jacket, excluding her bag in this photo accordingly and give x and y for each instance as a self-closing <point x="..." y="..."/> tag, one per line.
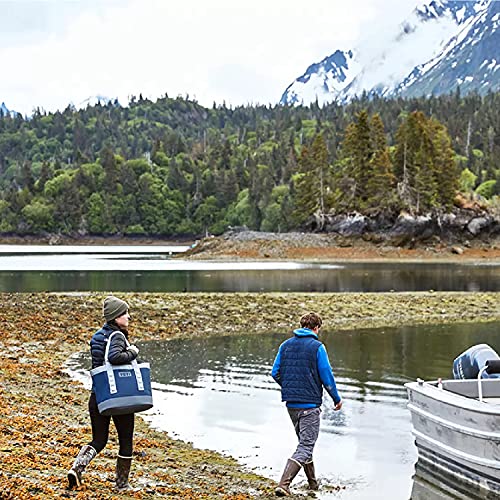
<point x="116" y="314"/>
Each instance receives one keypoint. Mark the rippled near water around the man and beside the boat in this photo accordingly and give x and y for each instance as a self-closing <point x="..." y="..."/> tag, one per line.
<point x="218" y="393"/>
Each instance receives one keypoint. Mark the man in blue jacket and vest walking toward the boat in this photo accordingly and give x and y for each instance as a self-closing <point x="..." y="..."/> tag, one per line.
<point x="302" y="369"/>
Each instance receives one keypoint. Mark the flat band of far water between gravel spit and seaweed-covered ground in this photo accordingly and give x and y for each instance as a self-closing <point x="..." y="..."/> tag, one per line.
<point x="57" y="268"/>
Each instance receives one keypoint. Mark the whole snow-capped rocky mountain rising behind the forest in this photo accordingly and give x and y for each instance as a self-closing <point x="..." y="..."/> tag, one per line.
<point x="398" y="61"/>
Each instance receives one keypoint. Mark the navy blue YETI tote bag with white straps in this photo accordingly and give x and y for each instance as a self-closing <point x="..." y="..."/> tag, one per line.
<point x="122" y="389"/>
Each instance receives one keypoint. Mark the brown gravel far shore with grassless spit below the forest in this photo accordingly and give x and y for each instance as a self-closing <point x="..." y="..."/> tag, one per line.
<point x="303" y="247"/>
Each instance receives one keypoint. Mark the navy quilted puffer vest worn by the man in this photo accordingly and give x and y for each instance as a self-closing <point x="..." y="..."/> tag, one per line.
<point x="299" y="373"/>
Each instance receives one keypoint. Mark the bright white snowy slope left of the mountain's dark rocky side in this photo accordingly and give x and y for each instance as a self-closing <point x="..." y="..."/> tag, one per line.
<point x="383" y="60"/>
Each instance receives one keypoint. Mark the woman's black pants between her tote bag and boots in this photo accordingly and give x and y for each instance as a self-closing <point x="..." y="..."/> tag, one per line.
<point x="100" y="429"/>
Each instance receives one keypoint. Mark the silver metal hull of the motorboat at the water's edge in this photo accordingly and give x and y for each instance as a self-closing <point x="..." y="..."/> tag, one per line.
<point x="456" y="435"/>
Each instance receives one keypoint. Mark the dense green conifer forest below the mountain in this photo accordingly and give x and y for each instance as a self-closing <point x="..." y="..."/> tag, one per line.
<point x="173" y="167"/>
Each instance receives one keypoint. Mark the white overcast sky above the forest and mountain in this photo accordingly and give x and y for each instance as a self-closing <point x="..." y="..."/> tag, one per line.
<point x="53" y="52"/>
